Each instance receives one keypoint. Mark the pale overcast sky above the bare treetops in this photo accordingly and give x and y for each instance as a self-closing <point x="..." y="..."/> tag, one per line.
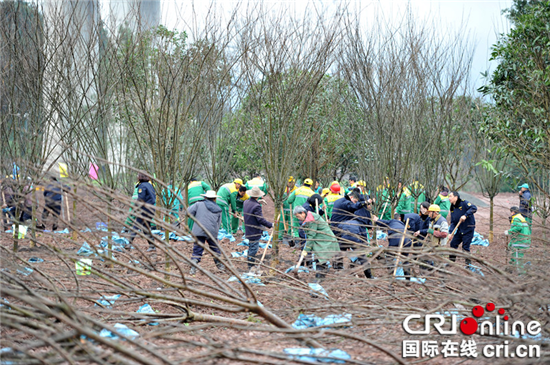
<point x="482" y="20"/>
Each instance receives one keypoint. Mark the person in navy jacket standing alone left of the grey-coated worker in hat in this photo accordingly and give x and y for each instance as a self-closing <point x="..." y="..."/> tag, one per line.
<point x="145" y="210"/>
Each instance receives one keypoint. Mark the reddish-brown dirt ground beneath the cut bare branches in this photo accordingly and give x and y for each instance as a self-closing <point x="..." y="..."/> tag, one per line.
<point x="374" y="306"/>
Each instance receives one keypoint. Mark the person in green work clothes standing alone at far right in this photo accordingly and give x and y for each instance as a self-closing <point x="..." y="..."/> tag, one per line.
<point x="520" y="238"/>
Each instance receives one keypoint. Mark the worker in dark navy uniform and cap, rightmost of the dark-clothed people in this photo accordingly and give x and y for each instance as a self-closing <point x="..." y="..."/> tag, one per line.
<point x="462" y="216"/>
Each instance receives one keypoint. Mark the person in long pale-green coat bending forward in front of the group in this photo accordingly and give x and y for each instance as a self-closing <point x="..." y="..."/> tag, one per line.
<point x="320" y="240"/>
